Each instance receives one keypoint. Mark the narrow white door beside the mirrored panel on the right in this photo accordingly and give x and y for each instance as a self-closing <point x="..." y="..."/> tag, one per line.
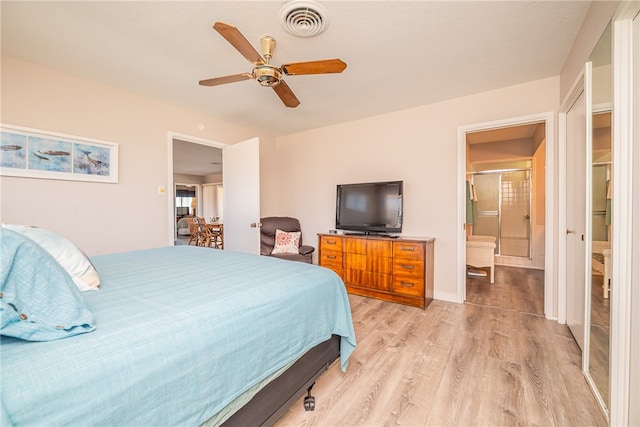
<point x="576" y="196"/>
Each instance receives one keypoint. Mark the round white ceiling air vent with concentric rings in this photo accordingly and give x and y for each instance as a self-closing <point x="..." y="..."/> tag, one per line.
<point x="303" y="18"/>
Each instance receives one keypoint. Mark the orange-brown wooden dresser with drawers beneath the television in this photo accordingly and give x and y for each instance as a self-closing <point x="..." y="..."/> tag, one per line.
<point x="398" y="270"/>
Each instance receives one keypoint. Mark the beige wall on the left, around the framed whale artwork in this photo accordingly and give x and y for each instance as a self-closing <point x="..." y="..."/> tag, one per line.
<point x="102" y="218"/>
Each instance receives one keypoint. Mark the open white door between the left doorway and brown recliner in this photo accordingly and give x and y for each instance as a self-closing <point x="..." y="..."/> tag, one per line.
<point x="241" y="182"/>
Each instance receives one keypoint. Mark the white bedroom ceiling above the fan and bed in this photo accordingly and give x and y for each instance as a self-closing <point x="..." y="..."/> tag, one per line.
<point x="400" y="54"/>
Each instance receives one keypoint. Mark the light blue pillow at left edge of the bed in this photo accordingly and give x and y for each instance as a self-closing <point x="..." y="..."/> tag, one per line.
<point x="38" y="299"/>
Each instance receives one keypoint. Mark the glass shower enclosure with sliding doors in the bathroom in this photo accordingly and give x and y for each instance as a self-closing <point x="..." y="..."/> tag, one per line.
<point x="503" y="209"/>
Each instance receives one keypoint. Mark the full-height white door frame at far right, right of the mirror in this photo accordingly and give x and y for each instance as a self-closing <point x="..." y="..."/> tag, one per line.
<point x="625" y="212"/>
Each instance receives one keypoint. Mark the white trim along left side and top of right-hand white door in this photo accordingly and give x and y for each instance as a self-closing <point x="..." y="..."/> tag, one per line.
<point x="561" y="277"/>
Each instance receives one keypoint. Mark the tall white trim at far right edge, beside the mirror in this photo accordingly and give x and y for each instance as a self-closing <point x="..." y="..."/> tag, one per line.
<point x="622" y="213"/>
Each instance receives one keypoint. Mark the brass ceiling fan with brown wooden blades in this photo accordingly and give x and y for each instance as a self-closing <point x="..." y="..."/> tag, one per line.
<point x="266" y="74"/>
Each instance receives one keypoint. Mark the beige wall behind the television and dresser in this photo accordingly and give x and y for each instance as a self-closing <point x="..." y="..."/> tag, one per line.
<point x="418" y="146"/>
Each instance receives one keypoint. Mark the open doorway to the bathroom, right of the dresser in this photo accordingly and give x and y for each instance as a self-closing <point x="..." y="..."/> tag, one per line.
<point x="505" y="214"/>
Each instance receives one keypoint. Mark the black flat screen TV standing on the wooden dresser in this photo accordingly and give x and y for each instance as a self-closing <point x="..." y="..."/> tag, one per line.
<point x="374" y="207"/>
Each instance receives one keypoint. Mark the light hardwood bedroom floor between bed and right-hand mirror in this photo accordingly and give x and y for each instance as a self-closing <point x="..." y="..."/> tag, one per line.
<point x="452" y="364"/>
